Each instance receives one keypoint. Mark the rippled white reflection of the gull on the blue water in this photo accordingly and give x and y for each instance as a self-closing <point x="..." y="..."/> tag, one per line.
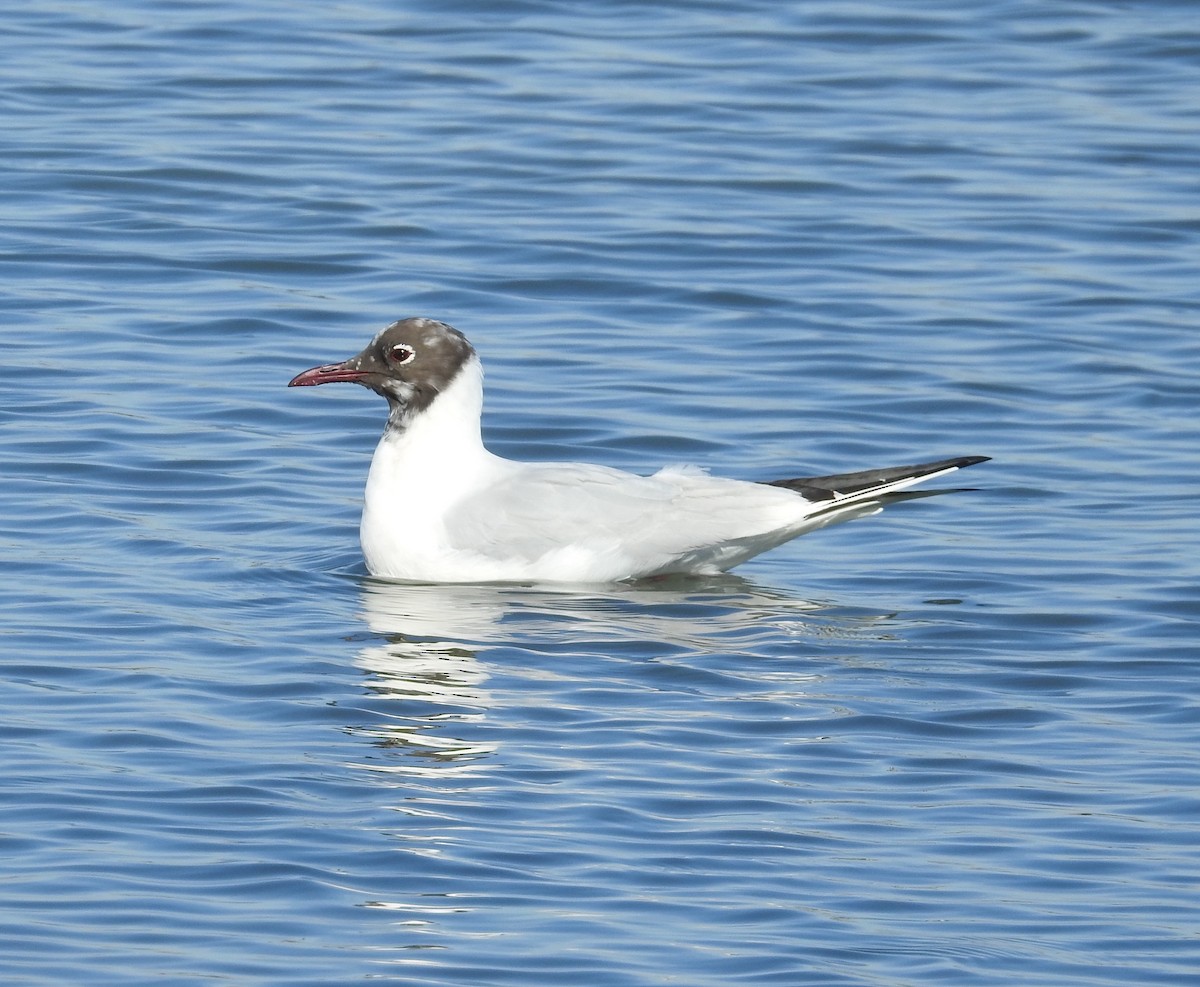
<point x="430" y="687"/>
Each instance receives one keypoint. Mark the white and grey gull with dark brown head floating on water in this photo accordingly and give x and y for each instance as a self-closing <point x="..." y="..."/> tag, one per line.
<point x="441" y="509"/>
